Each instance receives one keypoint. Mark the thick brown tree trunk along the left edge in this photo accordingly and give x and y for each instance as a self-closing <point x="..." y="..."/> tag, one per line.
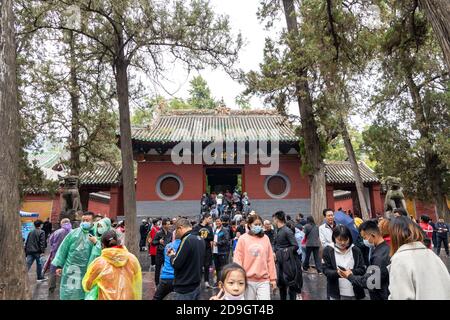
<point x="13" y="273"/>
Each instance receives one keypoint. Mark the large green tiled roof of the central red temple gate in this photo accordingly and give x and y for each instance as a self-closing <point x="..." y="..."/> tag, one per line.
<point x="212" y="125"/>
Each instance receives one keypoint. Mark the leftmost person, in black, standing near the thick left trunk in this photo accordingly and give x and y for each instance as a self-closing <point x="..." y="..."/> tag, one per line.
<point x="35" y="247"/>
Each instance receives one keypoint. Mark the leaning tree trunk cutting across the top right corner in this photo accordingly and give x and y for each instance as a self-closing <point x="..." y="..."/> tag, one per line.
<point x="438" y="14"/>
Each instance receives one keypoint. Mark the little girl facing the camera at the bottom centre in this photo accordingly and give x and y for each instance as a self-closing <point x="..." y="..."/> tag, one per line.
<point x="232" y="284"/>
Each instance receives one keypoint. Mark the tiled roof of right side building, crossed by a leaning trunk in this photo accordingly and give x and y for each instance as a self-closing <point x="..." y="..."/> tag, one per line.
<point x="341" y="172"/>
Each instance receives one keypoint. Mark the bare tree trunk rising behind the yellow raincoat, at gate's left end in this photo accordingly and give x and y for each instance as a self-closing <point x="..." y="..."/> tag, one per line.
<point x="129" y="195"/>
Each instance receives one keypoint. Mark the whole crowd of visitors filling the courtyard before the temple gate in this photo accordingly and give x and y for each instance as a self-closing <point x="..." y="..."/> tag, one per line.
<point x="248" y="258"/>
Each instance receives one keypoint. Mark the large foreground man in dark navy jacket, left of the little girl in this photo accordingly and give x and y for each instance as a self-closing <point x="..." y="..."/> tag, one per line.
<point x="187" y="262"/>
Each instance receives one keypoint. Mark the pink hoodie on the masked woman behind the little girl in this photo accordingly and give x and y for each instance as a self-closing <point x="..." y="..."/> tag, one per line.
<point x="255" y="255"/>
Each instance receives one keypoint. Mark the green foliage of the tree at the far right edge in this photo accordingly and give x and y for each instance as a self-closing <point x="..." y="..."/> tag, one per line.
<point x="411" y="104"/>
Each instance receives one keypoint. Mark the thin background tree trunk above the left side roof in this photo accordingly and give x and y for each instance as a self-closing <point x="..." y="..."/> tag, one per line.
<point x="74" y="92"/>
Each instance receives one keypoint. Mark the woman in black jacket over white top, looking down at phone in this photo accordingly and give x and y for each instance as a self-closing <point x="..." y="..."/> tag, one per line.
<point x="342" y="255"/>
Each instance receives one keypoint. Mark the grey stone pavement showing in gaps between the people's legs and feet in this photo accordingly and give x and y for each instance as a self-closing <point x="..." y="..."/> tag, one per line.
<point x="314" y="285"/>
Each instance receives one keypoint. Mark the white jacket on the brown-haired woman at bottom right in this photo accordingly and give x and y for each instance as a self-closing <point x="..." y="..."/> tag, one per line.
<point x="417" y="273"/>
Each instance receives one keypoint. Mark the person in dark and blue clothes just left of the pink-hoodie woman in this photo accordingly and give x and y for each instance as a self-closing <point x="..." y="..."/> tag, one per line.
<point x="220" y="247"/>
